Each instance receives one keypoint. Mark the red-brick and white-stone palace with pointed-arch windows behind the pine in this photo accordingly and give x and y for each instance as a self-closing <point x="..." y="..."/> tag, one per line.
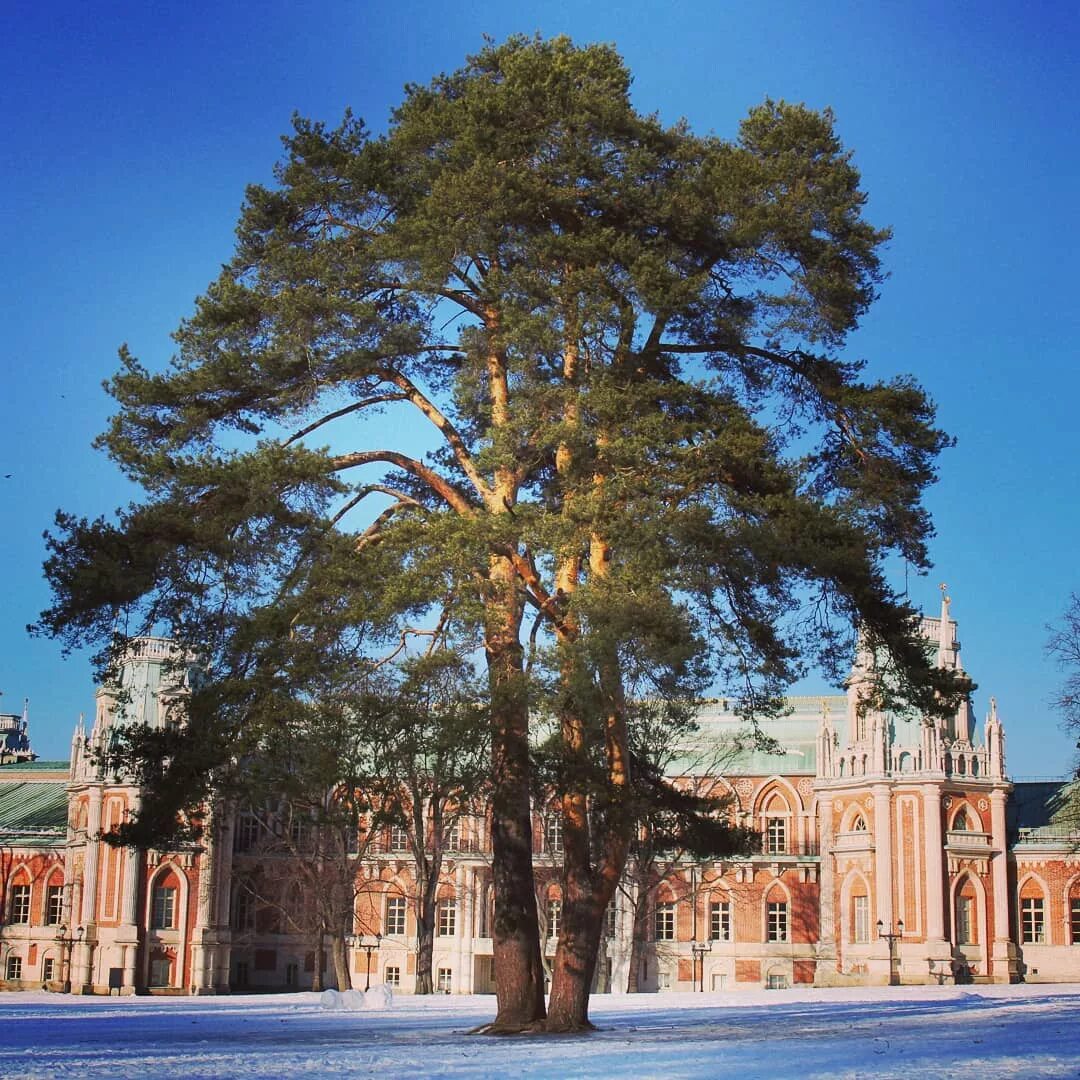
<point x="896" y="849"/>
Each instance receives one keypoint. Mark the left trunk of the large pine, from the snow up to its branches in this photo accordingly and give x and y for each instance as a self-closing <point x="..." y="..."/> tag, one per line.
<point x="519" y="974"/>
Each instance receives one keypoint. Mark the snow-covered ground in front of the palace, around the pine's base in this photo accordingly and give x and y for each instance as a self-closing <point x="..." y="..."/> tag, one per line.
<point x="984" y="1032"/>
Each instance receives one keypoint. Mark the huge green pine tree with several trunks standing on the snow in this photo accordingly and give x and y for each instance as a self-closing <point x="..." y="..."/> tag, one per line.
<point x="625" y="345"/>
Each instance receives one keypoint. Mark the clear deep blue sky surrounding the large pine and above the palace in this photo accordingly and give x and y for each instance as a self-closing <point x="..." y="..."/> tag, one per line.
<point x="132" y="129"/>
